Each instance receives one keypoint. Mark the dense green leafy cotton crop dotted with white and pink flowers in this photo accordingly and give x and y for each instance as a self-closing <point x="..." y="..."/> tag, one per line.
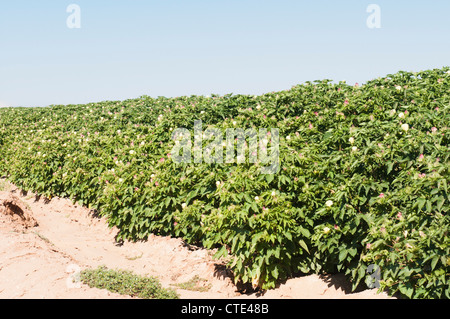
<point x="363" y="179"/>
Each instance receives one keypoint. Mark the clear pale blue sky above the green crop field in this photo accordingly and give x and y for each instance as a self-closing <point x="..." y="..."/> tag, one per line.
<point x="125" y="49"/>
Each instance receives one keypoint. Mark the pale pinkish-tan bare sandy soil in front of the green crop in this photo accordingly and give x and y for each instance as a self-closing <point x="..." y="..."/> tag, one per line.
<point x="42" y="249"/>
